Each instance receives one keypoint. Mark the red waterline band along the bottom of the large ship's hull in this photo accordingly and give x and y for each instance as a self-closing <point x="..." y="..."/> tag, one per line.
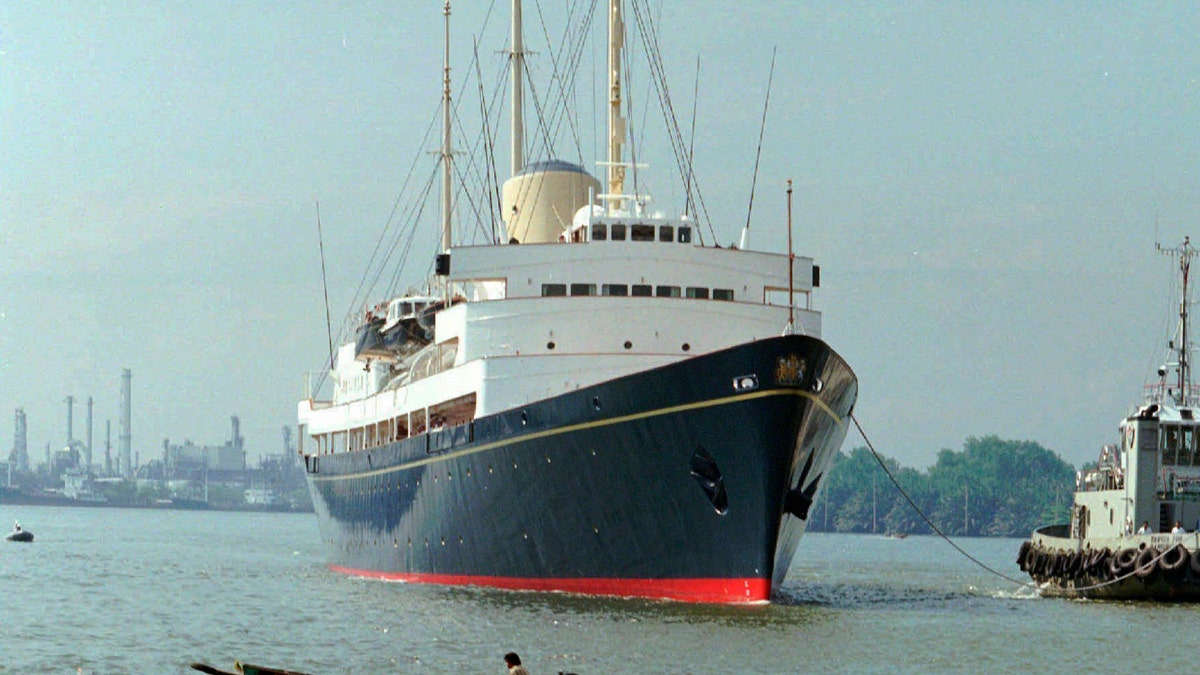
<point x="725" y="592"/>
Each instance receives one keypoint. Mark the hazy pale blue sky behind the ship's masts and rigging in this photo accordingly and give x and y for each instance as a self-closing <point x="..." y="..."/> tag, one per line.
<point x="982" y="186"/>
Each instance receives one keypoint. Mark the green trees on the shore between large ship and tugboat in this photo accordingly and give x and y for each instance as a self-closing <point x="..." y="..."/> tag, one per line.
<point x="994" y="488"/>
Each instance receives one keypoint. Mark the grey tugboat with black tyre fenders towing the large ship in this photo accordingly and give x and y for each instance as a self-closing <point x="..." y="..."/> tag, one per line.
<point x="1127" y="537"/>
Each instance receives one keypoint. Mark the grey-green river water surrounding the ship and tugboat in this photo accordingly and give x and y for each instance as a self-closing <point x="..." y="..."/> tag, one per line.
<point x="152" y="592"/>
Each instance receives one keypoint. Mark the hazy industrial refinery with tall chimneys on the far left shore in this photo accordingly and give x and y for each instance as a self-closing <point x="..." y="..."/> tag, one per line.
<point x="177" y="475"/>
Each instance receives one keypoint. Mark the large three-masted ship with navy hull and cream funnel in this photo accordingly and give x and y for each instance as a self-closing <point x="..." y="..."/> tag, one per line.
<point x="602" y="404"/>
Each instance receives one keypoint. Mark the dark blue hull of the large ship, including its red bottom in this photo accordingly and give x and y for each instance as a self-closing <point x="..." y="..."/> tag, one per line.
<point x="691" y="482"/>
